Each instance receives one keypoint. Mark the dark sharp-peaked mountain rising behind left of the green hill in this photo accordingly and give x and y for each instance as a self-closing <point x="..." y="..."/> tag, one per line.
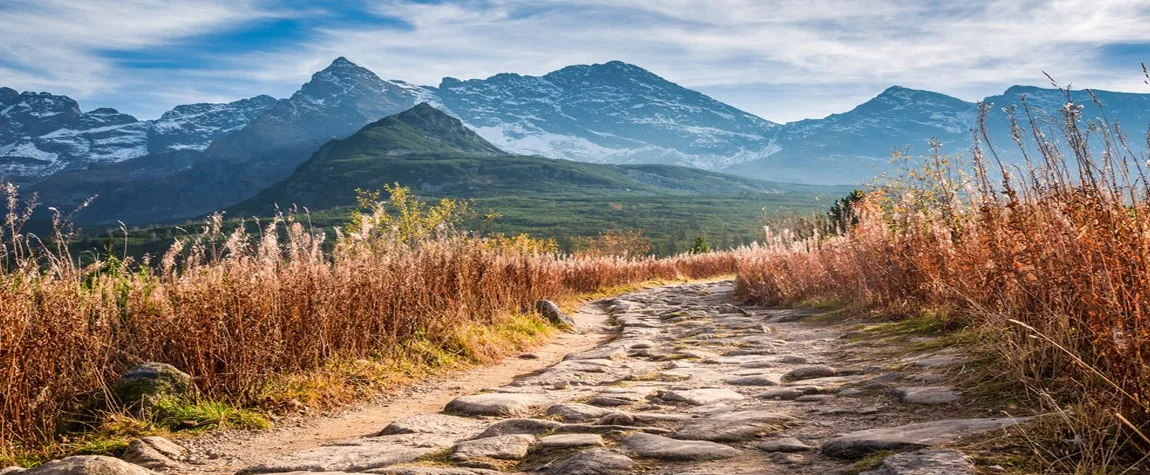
<point x="336" y="103"/>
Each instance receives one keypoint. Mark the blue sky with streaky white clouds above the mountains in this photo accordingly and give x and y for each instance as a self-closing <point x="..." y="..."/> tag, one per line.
<point x="784" y="60"/>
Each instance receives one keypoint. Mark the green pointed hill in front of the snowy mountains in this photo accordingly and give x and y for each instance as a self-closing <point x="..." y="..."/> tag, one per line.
<point x="435" y="155"/>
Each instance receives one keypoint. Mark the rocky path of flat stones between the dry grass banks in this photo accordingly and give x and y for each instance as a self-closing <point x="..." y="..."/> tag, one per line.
<point x="683" y="381"/>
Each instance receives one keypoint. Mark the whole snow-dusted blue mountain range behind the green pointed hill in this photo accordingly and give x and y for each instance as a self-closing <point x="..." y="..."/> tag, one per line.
<point x="202" y="158"/>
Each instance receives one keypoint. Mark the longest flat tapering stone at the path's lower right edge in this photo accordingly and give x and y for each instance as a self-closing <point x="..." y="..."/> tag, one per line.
<point x="922" y="435"/>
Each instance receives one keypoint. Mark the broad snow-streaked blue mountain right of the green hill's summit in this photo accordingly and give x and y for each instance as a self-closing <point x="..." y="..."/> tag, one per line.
<point x="612" y="113"/>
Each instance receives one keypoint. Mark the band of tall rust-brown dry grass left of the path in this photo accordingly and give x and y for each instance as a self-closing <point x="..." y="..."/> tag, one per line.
<point x="239" y="311"/>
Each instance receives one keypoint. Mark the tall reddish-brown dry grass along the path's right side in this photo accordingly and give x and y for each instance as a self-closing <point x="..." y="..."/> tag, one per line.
<point x="1053" y="255"/>
